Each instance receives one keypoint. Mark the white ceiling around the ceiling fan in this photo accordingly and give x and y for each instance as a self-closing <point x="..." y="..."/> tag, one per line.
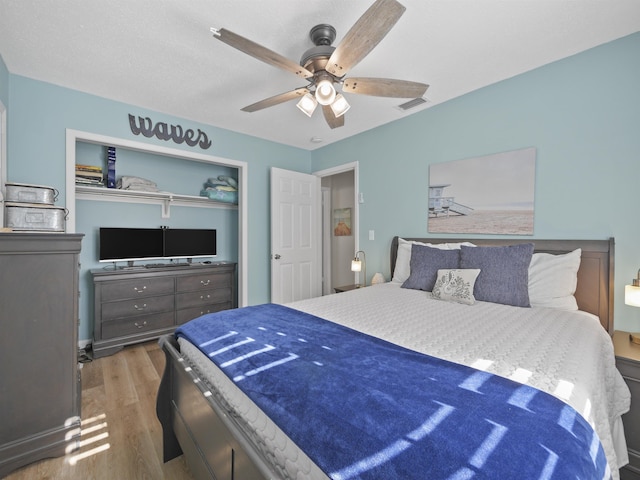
<point x="160" y="54"/>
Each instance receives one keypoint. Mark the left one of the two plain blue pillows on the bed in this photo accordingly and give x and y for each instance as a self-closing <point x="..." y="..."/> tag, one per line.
<point x="425" y="263"/>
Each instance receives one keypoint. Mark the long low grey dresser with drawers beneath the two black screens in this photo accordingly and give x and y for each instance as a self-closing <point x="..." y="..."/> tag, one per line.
<point x="140" y="304"/>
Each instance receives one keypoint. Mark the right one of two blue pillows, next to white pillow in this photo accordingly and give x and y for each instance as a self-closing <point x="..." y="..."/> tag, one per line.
<point x="504" y="272"/>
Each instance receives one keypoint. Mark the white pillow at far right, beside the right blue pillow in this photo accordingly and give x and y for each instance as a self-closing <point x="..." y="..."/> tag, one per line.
<point x="553" y="280"/>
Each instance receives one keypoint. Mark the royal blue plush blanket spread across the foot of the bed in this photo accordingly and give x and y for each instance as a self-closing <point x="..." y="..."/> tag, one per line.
<point x="361" y="407"/>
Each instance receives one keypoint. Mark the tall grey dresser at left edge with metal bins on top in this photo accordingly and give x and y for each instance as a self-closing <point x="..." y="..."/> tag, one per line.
<point x="39" y="375"/>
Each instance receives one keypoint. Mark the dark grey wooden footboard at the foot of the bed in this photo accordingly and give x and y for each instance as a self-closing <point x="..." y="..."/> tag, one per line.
<point x="193" y="423"/>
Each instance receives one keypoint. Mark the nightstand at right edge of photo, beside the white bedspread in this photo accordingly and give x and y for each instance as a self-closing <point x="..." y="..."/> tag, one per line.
<point x="628" y="363"/>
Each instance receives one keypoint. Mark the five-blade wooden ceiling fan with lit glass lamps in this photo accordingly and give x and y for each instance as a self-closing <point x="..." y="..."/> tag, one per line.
<point x="325" y="66"/>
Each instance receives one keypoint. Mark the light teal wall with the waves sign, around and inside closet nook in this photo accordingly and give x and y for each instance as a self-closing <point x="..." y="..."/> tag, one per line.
<point x="38" y="117"/>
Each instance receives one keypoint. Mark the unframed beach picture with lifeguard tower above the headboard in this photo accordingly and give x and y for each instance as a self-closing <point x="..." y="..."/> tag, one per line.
<point x="492" y="194"/>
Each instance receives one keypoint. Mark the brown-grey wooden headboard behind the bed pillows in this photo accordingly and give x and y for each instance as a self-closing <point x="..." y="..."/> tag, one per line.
<point x="594" y="293"/>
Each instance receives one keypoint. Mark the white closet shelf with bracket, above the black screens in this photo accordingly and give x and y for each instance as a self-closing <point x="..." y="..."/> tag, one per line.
<point x="164" y="199"/>
